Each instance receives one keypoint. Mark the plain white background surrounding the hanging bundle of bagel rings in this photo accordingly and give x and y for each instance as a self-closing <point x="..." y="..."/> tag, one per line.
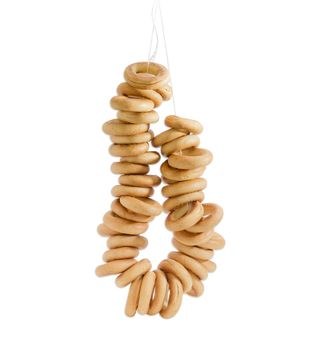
<point x="242" y="68"/>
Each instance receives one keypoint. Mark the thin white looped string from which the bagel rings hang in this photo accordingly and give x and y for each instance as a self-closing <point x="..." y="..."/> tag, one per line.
<point x="156" y="8"/>
